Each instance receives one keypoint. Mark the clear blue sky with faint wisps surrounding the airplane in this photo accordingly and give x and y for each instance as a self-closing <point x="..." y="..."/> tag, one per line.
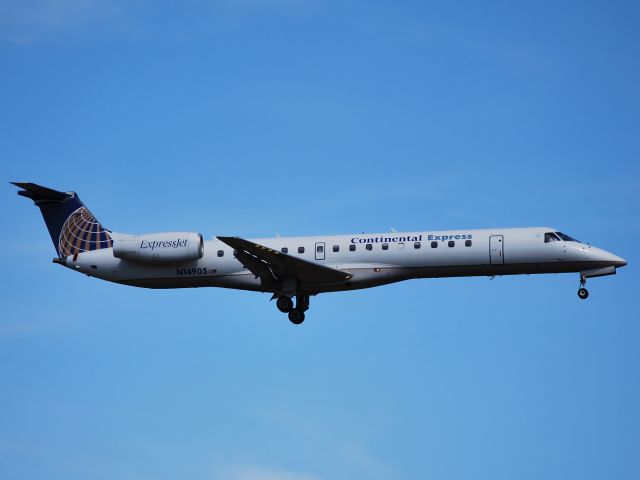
<point x="253" y="117"/>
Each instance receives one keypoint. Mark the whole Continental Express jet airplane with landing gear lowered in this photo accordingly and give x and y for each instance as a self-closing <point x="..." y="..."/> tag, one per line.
<point x="301" y="267"/>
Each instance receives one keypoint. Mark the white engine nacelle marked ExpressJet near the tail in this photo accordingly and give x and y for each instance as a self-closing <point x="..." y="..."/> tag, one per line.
<point x="159" y="248"/>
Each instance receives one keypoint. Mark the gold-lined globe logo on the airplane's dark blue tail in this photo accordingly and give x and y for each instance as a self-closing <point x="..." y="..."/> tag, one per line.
<point x="81" y="232"/>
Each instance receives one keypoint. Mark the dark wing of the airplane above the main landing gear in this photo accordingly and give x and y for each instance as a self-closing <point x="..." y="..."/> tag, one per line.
<point x="271" y="265"/>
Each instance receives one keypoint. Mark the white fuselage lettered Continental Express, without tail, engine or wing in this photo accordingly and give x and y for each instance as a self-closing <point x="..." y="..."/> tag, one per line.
<point x="371" y="259"/>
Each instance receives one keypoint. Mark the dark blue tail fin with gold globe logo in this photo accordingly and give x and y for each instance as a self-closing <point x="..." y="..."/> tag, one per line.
<point x="72" y="227"/>
